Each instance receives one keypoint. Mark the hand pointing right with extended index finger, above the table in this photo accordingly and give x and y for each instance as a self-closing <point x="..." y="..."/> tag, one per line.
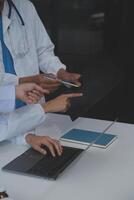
<point x="60" y="103"/>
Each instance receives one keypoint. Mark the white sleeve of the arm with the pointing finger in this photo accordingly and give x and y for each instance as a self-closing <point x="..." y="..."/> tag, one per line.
<point x="21" y="121"/>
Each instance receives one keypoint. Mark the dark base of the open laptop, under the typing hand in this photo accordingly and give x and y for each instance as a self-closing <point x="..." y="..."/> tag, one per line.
<point x="34" y="163"/>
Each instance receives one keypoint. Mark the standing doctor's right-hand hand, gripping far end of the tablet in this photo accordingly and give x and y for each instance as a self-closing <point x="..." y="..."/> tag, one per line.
<point x="67" y="76"/>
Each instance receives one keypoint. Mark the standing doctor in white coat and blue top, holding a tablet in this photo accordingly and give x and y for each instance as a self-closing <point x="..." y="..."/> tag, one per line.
<point x="29" y="47"/>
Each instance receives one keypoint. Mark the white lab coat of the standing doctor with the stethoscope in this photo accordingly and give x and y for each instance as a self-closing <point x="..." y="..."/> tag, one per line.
<point x="29" y="45"/>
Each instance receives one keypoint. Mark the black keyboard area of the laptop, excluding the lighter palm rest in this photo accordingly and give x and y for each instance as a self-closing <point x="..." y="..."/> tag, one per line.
<point x="50" y="166"/>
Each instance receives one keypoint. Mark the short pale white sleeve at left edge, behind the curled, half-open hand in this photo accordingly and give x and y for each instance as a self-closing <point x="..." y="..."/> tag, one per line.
<point x="7" y="98"/>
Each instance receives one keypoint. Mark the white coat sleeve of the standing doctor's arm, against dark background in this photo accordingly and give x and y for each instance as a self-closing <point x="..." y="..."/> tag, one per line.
<point x="48" y="62"/>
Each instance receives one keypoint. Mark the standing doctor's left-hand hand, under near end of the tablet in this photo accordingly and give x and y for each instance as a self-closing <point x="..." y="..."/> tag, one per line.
<point x="50" y="85"/>
